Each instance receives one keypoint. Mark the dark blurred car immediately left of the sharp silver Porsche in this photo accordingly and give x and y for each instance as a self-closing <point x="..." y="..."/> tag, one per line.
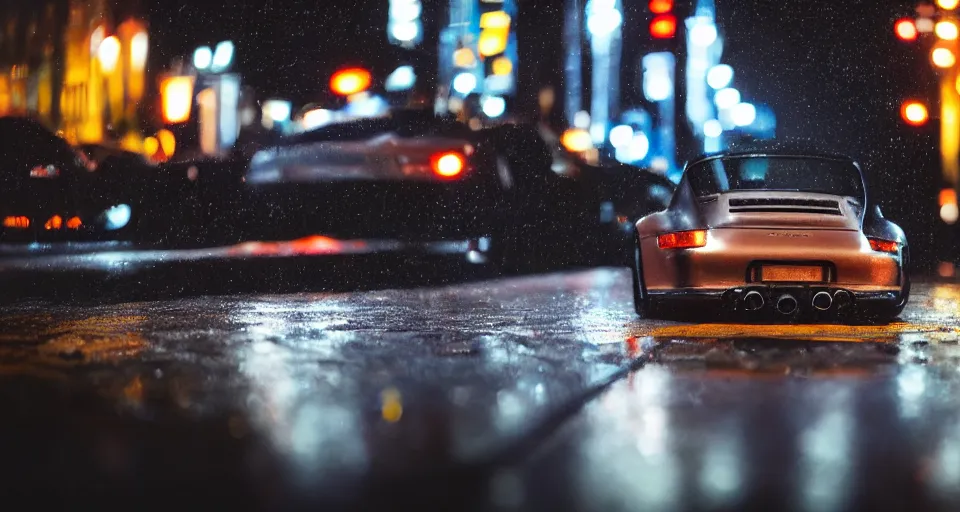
<point x="584" y="216"/>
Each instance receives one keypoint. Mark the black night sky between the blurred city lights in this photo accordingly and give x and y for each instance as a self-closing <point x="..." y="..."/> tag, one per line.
<point x="832" y="71"/>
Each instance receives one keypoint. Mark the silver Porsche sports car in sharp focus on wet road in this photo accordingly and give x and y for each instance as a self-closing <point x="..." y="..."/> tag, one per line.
<point x="774" y="231"/>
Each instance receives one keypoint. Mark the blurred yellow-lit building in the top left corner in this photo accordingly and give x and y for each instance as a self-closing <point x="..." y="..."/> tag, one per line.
<point x="79" y="67"/>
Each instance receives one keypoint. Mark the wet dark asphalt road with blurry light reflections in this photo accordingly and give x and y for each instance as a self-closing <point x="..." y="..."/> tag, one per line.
<point x="526" y="393"/>
